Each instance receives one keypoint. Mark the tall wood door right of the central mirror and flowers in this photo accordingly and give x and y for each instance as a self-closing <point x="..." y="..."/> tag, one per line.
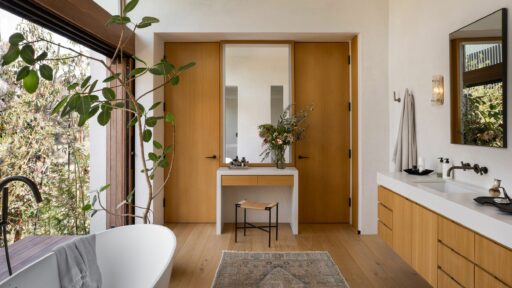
<point x="322" y="80"/>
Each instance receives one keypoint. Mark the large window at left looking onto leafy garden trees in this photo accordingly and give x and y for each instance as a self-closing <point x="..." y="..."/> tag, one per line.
<point x="55" y="152"/>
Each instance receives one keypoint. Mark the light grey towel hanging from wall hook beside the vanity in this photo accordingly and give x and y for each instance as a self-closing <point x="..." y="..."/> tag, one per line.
<point x="405" y="155"/>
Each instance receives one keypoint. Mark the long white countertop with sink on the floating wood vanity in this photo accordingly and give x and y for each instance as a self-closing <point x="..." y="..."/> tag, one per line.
<point x="459" y="207"/>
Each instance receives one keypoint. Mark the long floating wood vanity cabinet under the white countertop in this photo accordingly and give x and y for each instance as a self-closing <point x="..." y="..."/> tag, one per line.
<point x="443" y="252"/>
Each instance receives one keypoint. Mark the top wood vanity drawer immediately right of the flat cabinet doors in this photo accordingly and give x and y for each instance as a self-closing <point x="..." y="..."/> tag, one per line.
<point x="457" y="237"/>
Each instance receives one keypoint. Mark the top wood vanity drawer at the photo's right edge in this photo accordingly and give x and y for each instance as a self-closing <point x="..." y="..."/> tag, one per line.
<point x="494" y="258"/>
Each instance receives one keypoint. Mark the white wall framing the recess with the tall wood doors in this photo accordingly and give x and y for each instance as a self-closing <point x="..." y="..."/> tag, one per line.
<point x="366" y="17"/>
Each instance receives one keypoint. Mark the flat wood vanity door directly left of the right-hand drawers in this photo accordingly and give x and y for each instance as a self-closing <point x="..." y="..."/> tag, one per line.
<point x="424" y="243"/>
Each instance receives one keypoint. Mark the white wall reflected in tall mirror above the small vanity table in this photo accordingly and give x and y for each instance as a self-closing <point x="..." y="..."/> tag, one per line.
<point x="253" y="69"/>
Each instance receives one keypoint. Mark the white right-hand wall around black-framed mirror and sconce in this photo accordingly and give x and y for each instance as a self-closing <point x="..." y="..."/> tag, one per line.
<point x="419" y="49"/>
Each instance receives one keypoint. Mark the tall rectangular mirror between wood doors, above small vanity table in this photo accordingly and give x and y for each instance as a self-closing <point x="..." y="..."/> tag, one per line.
<point x="257" y="88"/>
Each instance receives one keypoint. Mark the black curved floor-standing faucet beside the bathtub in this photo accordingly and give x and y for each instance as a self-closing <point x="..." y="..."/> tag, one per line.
<point x="5" y="210"/>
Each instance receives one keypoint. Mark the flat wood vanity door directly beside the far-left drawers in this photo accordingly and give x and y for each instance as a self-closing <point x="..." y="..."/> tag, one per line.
<point x="402" y="227"/>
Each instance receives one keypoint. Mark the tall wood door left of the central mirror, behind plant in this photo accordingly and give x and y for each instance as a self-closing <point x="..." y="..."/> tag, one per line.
<point x="190" y="192"/>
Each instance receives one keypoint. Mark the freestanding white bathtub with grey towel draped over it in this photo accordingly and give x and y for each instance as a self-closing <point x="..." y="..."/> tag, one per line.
<point x="136" y="256"/>
